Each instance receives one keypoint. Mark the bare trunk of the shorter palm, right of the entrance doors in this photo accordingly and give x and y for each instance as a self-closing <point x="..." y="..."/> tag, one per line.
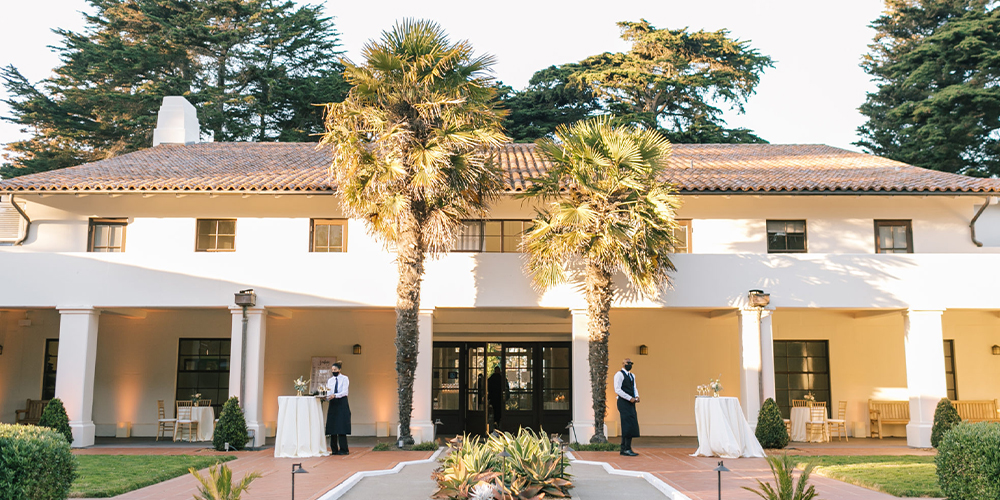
<point x="599" y="295"/>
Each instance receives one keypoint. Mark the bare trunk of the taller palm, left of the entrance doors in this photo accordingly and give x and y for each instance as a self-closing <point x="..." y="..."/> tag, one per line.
<point x="410" y="262"/>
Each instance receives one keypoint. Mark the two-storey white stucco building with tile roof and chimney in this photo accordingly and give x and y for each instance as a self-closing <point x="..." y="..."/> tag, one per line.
<point x="119" y="292"/>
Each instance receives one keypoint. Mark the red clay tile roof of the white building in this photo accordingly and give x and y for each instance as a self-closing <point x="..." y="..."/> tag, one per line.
<point x="300" y="167"/>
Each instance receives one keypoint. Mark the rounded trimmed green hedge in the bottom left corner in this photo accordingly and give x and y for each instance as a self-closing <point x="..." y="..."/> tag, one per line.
<point x="35" y="463"/>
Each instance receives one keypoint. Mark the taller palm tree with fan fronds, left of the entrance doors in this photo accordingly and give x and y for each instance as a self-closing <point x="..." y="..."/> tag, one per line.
<point x="413" y="154"/>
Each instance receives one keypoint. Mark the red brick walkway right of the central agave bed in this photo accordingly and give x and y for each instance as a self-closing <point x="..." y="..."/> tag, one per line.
<point x="694" y="476"/>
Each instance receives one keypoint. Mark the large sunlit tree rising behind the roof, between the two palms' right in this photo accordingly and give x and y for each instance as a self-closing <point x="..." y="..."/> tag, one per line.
<point x="670" y="80"/>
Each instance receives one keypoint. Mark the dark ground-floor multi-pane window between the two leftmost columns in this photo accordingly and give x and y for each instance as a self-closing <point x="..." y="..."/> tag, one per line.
<point x="203" y="368"/>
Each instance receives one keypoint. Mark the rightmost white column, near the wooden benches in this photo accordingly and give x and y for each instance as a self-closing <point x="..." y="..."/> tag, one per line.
<point x="925" y="382"/>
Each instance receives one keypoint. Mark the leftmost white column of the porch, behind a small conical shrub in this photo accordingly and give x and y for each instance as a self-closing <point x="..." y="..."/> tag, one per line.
<point x="75" y="374"/>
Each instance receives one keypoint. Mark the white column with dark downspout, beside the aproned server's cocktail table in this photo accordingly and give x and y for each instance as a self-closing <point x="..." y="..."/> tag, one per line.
<point x="253" y="372"/>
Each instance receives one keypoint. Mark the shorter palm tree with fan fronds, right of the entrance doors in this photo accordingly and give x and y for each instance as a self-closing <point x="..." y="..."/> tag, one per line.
<point x="608" y="211"/>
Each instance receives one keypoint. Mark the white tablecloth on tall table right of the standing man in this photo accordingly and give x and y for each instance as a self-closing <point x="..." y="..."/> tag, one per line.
<point x="722" y="429"/>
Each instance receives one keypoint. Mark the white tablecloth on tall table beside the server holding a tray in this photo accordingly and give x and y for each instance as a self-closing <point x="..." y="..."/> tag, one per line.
<point x="300" y="428"/>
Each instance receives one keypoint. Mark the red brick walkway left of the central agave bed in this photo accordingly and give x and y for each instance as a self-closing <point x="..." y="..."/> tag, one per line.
<point x="324" y="472"/>
